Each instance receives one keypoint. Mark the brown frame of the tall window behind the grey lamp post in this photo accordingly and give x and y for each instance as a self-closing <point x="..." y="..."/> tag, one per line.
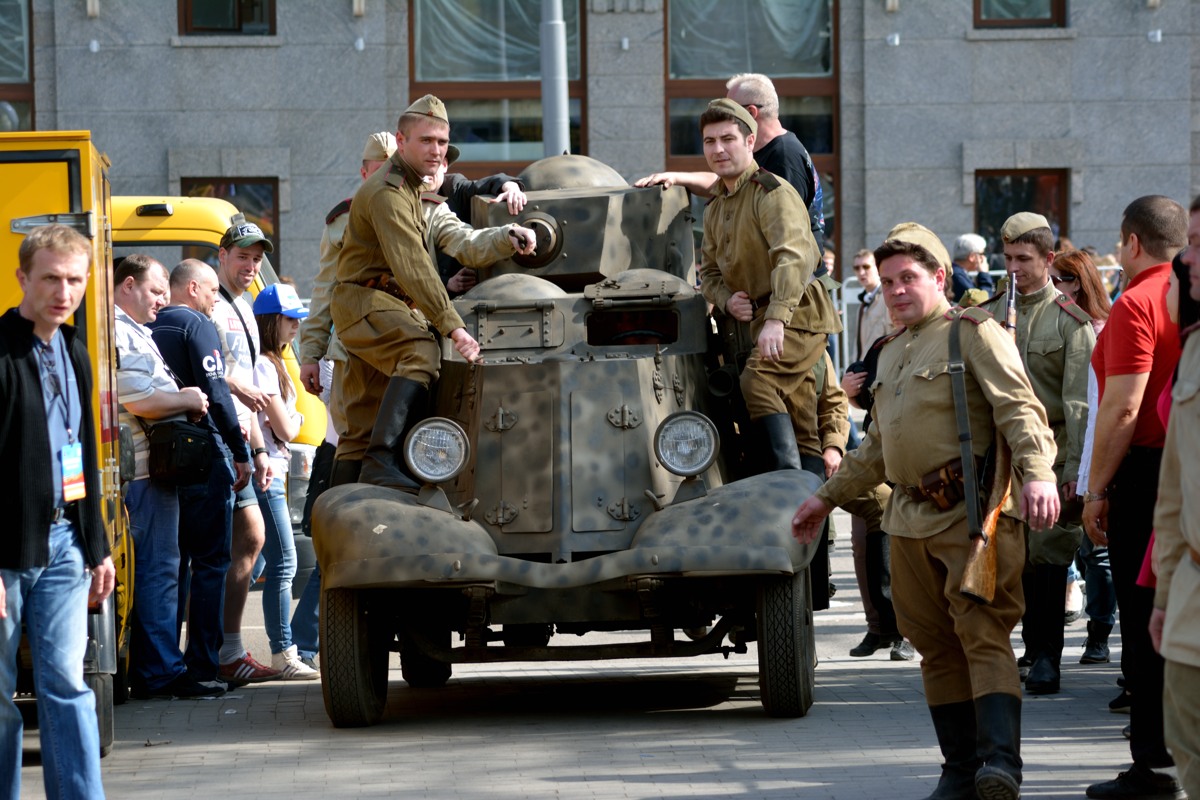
<point x="491" y="91"/>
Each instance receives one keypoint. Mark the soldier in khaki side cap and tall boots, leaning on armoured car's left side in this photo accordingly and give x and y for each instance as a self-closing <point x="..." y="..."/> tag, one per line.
<point x="389" y="304"/>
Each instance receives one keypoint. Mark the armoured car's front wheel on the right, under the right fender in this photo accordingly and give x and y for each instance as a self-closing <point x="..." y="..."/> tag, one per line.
<point x="787" y="646"/>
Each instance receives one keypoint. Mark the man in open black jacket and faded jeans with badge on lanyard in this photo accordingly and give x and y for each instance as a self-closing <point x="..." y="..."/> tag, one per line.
<point x="55" y="558"/>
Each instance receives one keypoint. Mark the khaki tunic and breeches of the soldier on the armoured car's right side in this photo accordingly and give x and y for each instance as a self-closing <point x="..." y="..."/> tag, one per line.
<point x="758" y="240"/>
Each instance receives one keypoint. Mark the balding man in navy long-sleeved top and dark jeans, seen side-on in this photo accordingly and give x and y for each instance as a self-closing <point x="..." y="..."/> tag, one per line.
<point x="190" y="346"/>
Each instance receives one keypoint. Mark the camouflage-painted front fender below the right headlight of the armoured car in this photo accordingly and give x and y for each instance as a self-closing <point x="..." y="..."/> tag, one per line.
<point x="748" y="524"/>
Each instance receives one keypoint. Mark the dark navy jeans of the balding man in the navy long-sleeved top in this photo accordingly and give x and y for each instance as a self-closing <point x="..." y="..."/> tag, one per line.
<point x="206" y="534"/>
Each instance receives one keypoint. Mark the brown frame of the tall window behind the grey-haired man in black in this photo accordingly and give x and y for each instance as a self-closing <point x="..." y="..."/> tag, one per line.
<point x="826" y="164"/>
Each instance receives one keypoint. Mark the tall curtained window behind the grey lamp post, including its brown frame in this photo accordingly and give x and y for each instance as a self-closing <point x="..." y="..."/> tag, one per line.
<point x="484" y="61"/>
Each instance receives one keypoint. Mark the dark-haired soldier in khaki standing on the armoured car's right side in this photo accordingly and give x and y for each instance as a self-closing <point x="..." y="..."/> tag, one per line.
<point x="758" y="266"/>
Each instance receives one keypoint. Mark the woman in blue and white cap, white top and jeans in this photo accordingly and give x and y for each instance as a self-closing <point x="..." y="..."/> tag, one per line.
<point x="279" y="312"/>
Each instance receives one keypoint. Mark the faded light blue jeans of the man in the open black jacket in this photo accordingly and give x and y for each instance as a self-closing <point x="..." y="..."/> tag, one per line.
<point x="53" y="604"/>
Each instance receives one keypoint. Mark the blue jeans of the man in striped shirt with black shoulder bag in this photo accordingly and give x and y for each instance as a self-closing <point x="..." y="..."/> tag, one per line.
<point x="154" y="524"/>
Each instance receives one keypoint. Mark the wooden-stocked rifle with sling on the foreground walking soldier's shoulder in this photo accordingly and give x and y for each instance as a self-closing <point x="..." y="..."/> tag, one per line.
<point x="980" y="576"/>
